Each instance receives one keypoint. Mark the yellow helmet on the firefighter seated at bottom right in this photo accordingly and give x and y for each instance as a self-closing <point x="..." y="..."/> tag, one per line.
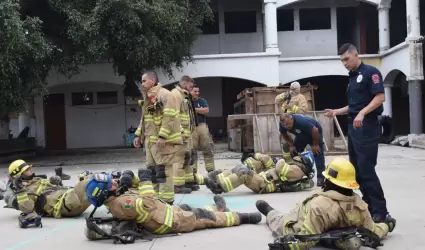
<point x="341" y="173"/>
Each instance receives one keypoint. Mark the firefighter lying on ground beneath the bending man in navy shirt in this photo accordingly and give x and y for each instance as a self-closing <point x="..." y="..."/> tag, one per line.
<point x="289" y="175"/>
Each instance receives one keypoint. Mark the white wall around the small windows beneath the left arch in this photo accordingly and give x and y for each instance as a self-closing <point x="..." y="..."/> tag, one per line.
<point x="91" y="125"/>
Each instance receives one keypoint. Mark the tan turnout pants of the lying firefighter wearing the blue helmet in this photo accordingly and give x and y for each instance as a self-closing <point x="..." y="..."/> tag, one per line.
<point x="201" y="218"/>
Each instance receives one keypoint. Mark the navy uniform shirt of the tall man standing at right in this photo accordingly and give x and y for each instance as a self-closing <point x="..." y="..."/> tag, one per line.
<point x="365" y="82"/>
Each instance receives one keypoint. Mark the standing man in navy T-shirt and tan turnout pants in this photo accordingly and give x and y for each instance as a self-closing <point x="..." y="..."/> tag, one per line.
<point x="201" y="136"/>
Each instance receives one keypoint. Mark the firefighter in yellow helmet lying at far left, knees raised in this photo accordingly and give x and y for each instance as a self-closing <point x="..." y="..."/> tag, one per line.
<point x="36" y="197"/>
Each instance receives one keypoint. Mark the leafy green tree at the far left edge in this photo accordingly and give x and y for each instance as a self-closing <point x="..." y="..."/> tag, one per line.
<point x="24" y="59"/>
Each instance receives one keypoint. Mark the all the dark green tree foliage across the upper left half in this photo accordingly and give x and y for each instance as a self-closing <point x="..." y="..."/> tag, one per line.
<point x="40" y="35"/>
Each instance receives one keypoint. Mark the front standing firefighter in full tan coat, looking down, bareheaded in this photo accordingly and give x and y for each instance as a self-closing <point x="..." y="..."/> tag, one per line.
<point x="161" y="131"/>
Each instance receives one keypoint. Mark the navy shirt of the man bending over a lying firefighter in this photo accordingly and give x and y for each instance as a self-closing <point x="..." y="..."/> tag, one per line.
<point x="303" y="127"/>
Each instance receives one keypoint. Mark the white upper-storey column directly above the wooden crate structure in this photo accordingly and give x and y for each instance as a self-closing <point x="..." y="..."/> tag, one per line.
<point x="270" y="16"/>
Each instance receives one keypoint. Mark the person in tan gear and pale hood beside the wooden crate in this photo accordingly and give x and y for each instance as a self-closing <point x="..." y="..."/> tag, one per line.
<point x="293" y="101"/>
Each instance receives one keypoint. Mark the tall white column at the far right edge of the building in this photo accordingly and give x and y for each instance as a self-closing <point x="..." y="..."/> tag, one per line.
<point x="416" y="75"/>
